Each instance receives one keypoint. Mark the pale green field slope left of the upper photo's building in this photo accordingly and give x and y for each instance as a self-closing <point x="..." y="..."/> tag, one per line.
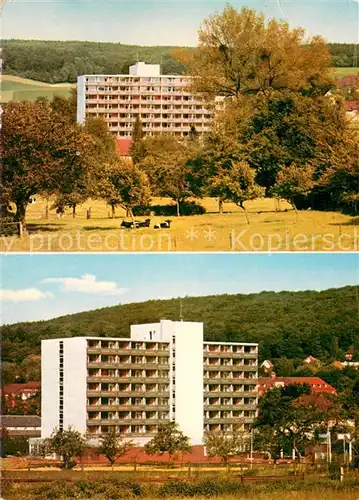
<point x="20" y="89"/>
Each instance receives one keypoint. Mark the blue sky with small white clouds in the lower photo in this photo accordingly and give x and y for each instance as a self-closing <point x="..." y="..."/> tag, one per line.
<point x="45" y="286"/>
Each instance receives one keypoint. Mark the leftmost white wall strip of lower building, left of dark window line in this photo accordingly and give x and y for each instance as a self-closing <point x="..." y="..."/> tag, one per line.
<point x="49" y="386"/>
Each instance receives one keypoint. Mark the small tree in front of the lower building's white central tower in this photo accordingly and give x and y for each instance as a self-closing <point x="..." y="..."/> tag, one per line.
<point x="168" y="439"/>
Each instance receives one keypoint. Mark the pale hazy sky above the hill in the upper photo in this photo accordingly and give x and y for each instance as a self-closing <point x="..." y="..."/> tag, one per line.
<point x="166" y="22"/>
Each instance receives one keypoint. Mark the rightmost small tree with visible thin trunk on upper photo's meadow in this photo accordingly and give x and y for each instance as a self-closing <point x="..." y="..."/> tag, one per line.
<point x="292" y="182"/>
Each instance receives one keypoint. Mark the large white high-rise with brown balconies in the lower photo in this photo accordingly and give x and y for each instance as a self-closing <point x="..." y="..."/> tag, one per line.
<point x="164" y="371"/>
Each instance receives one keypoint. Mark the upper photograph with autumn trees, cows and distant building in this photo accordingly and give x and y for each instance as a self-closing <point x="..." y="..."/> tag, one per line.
<point x="179" y="126"/>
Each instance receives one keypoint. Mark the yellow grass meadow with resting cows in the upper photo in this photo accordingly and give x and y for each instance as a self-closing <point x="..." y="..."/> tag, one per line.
<point x="269" y="230"/>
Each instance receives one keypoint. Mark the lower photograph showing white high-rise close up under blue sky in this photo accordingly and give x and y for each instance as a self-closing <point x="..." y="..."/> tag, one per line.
<point x="180" y="375"/>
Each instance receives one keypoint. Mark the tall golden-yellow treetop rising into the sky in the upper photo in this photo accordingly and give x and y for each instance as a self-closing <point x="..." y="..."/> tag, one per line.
<point x="240" y="54"/>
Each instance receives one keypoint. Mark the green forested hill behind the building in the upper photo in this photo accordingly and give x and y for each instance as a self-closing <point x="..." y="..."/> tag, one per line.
<point x="63" y="61"/>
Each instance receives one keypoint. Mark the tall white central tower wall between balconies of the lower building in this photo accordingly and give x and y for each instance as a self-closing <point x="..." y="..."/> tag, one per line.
<point x="189" y="379"/>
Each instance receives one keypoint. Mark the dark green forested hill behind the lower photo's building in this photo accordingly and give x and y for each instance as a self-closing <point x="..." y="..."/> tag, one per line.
<point x="292" y="324"/>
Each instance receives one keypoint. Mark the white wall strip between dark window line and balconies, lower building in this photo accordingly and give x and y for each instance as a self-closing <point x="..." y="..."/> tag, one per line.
<point x="75" y="383"/>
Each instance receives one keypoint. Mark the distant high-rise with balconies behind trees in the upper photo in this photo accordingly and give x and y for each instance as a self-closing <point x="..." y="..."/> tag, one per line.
<point x="161" y="101"/>
